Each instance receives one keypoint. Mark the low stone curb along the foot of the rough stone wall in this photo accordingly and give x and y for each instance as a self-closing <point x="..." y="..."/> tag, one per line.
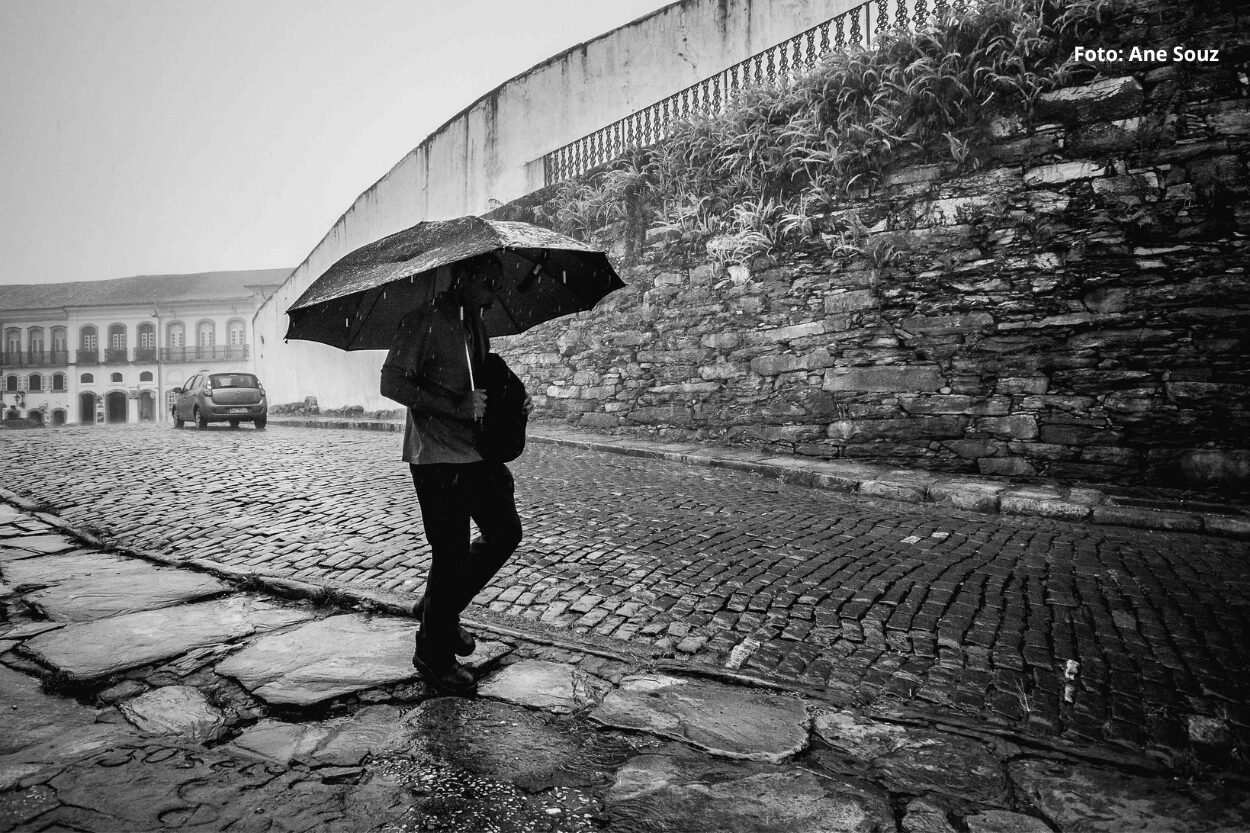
<point x="961" y="492"/>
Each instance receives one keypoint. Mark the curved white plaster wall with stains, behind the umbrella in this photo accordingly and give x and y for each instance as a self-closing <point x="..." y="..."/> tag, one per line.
<point x="487" y="153"/>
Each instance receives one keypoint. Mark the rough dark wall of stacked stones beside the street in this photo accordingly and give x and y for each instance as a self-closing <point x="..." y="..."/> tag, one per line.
<point x="1077" y="308"/>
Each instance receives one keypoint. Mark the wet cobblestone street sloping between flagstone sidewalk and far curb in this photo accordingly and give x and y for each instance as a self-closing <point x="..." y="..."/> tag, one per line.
<point x="941" y="611"/>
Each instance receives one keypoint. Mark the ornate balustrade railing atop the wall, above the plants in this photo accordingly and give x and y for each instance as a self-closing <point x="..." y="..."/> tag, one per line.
<point x="782" y="63"/>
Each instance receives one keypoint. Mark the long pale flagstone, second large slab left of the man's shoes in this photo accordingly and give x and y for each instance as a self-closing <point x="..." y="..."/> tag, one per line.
<point x="93" y="651"/>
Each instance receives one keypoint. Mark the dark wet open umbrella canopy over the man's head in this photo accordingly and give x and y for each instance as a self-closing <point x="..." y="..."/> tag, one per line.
<point x="358" y="303"/>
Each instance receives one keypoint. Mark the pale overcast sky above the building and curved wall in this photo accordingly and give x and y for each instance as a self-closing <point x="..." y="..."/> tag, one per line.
<point x="164" y="137"/>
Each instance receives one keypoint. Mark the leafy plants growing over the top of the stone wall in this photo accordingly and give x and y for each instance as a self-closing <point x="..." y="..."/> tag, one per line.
<point x="778" y="162"/>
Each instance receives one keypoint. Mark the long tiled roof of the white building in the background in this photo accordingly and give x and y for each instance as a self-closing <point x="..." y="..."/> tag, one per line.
<point x="141" y="290"/>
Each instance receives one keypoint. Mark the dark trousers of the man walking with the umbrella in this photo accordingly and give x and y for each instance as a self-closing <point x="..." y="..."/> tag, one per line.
<point x="451" y="496"/>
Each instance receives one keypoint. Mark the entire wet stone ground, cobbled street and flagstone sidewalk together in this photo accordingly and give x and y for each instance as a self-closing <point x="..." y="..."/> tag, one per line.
<point x="673" y="645"/>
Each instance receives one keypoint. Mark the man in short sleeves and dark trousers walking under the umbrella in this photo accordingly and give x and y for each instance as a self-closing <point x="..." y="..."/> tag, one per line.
<point x="437" y="352"/>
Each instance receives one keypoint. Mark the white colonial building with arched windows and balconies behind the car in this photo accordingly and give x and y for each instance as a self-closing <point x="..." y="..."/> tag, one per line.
<point x="112" y="351"/>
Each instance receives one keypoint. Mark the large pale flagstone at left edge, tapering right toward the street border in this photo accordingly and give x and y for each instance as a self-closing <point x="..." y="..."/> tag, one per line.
<point x="87" y="585"/>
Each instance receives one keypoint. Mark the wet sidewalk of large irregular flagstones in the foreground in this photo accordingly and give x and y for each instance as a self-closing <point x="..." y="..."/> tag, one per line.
<point x="144" y="697"/>
